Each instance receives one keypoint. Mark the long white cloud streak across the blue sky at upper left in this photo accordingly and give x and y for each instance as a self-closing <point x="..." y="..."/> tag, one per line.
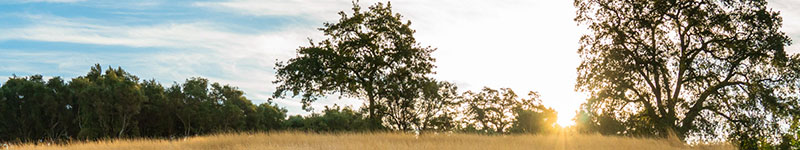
<point x="186" y="35"/>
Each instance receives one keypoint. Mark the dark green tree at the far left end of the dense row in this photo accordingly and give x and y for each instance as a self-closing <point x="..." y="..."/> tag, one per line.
<point x="33" y="104"/>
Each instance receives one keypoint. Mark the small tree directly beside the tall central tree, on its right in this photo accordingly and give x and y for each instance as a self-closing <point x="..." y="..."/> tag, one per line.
<point x="422" y="104"/>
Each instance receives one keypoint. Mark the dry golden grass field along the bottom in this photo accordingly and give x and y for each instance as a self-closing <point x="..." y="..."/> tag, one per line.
<point x="304" y="141"/>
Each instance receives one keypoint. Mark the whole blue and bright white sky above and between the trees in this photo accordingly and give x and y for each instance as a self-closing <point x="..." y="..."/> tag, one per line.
<point x="526" y="45"/>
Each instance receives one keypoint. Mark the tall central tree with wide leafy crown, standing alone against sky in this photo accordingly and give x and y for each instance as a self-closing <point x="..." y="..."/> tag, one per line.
<point x="361" y="51"/>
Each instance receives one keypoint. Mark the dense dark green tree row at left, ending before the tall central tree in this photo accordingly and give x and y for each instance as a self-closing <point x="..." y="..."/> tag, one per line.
<point x="116" y="104"/>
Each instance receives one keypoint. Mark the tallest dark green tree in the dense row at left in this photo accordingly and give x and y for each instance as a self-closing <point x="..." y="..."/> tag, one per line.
<point x="107" y="102"/>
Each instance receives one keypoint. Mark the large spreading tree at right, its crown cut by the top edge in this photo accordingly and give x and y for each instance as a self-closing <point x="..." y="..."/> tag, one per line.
<point x="695" y="67"/>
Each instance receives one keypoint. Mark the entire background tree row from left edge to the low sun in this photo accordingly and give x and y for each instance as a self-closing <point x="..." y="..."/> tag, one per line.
<point x="113" y="103"/>
